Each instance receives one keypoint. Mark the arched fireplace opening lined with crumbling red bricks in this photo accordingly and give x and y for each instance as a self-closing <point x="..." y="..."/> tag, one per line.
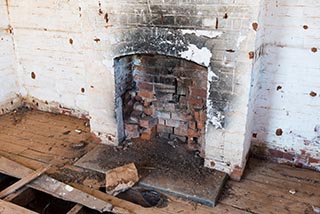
<point x="161" y="96"/>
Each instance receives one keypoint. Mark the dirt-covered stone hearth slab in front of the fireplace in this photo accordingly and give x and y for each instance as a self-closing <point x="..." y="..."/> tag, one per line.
<point x="162" y="166"/>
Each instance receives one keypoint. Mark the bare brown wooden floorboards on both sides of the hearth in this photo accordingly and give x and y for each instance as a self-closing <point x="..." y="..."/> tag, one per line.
<point x="36" y="139"/>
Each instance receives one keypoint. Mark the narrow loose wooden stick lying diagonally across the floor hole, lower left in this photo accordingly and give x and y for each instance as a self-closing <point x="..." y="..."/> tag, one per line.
<point x="23" y="181"/>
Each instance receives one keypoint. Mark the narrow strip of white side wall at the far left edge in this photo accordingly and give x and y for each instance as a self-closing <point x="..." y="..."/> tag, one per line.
<point x="8" y="77"/>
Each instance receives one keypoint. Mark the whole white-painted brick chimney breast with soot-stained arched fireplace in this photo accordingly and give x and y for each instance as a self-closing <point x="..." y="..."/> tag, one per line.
<point x="213" y="39"/>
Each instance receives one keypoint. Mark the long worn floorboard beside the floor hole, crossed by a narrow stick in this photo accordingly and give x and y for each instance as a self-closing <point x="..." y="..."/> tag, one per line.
<point x="54" y="187"/>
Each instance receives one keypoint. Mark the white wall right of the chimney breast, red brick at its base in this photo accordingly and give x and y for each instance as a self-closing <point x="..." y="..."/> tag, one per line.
<point x="288" y="76"/>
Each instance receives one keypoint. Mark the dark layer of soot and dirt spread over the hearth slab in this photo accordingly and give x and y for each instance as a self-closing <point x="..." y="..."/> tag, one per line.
<point x="170" y="158"/>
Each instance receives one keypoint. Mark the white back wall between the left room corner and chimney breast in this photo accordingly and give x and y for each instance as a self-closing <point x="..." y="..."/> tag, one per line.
<point x="48" y="41"/>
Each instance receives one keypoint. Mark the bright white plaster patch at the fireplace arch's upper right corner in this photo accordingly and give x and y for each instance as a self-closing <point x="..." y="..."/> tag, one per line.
<point x="201" y="56"/>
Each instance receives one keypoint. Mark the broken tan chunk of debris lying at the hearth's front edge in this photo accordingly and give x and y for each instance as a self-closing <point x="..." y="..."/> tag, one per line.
<point x="121" y="178"/>
